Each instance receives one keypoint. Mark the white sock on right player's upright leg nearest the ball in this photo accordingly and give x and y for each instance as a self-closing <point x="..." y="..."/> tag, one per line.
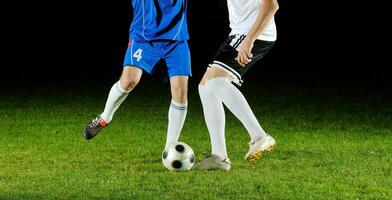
<point x="214" y="115"/>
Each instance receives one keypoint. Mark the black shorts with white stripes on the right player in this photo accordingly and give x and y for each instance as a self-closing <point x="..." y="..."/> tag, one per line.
<point x="226" y="54"/>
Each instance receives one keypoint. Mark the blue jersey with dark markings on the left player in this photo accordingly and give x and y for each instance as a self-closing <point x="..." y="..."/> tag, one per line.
<point x="159" y="20"/>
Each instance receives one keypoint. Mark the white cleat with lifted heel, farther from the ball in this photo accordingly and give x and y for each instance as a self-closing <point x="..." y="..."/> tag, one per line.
<point x="258" y="147"/>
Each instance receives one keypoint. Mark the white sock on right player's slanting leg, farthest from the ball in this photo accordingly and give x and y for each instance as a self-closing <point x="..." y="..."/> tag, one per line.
<point x="237" y="104"/>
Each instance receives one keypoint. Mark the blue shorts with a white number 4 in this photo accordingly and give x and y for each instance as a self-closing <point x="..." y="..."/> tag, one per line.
<point x="145" y="55"/>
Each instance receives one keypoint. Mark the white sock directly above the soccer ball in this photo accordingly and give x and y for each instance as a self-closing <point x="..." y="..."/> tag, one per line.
<point x="177" y="114"/>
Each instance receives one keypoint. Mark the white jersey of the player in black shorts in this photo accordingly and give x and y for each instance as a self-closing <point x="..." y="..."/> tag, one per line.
<point x="243" y="14"/>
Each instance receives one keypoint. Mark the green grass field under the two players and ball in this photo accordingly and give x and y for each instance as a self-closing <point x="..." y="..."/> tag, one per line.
<point x="333" y="143"/>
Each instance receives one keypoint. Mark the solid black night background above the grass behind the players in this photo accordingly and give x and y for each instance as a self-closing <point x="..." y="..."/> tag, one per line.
<point x="318" y="41"/>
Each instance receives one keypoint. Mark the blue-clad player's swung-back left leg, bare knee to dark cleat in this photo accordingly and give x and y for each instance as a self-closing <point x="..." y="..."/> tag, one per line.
<point x="129" y="79"/>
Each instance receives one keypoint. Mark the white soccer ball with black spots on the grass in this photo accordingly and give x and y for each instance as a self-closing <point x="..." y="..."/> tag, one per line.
<point x="178" y="156"/>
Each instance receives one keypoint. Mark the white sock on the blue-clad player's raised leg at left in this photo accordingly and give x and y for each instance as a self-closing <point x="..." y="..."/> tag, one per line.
<point x="116" y="96"/>
